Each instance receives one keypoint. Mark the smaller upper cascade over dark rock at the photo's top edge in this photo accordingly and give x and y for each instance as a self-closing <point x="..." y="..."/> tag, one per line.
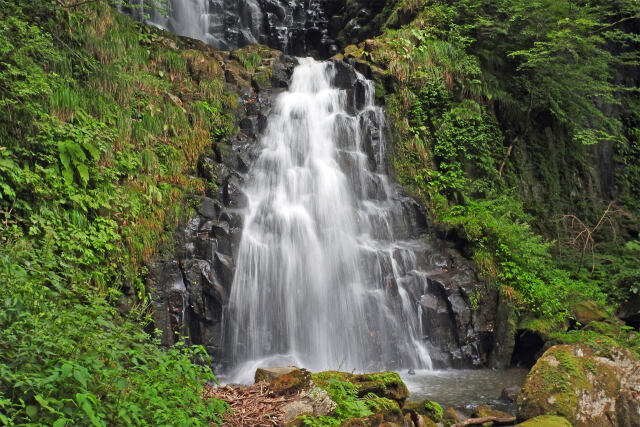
<point x="292" y="26"/>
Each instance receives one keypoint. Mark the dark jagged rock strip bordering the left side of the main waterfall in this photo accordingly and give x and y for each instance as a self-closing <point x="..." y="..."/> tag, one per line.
<point x="189" y="293"/>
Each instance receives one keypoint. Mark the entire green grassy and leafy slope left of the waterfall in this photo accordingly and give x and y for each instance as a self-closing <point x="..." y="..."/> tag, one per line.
<point x="94" y="148"/>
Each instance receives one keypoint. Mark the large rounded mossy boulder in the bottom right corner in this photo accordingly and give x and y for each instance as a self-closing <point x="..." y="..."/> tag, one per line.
<point x="584" y="386"/>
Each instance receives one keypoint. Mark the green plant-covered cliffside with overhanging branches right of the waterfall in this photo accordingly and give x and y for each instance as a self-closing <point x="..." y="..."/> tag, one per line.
<point x="496" y="104"/>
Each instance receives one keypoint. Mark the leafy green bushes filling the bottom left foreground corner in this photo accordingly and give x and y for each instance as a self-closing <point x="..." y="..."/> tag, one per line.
<point x="67" y="357"/>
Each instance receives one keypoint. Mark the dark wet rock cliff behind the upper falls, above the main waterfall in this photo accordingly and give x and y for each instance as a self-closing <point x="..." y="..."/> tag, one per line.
<point x="317" y="28"/>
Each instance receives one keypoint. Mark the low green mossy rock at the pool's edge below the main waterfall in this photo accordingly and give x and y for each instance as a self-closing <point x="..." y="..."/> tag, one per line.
<point x="382" y="384"/>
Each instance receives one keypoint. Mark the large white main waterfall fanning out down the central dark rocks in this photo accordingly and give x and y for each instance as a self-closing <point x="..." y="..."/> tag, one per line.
<point x="322" y="265"/>
